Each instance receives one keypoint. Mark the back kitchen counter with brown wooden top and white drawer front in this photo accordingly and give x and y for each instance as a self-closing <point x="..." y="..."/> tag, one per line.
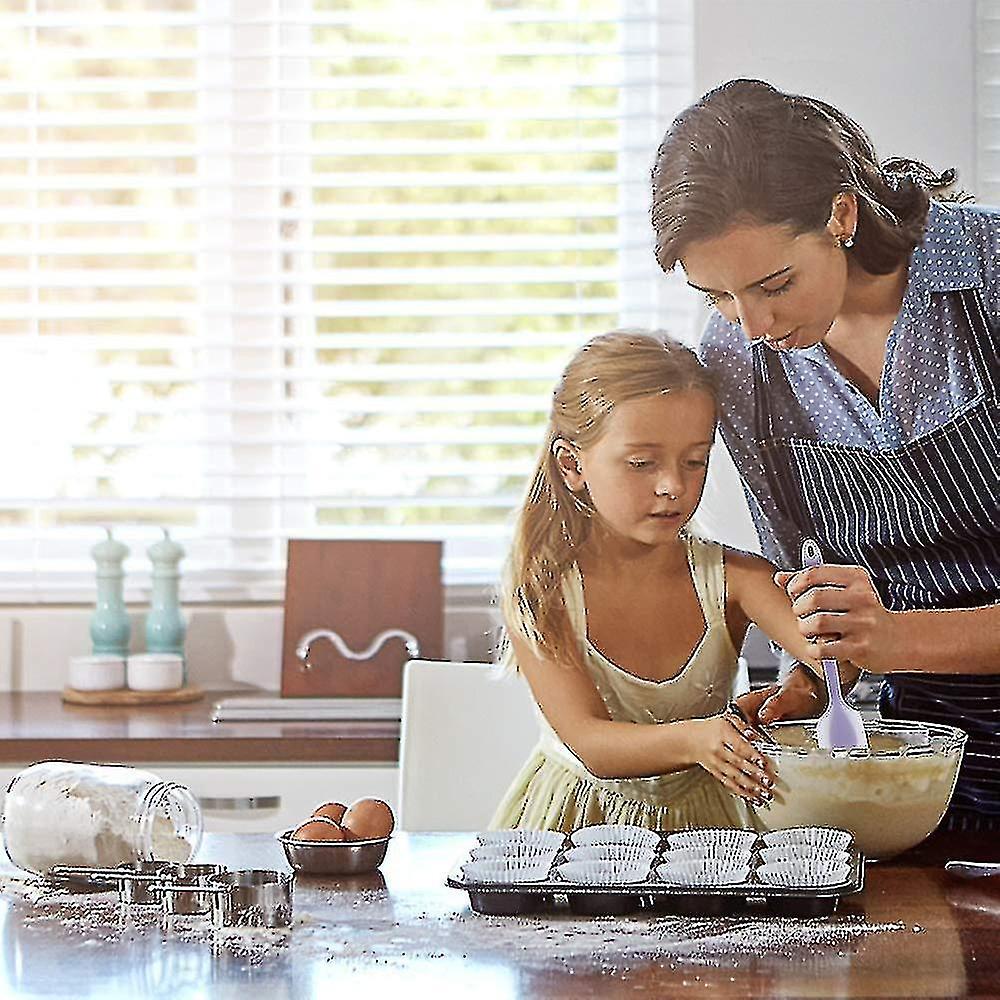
<point x="251" y="777"/>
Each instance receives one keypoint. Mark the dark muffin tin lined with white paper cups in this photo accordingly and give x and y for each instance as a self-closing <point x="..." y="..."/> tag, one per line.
<point x="707" y="872"/>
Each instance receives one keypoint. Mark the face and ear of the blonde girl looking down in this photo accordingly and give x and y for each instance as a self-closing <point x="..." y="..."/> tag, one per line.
<point x="646" y="472"/>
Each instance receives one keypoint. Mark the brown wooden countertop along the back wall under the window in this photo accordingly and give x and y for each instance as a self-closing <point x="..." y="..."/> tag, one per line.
<point x="38" y="725"/>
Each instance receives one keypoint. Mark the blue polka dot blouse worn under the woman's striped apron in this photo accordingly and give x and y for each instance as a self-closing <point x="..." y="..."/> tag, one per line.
<point x="928" y="376"/>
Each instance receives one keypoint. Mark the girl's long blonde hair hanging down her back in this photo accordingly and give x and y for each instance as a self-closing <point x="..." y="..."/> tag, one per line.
<point x="555" y="522"/>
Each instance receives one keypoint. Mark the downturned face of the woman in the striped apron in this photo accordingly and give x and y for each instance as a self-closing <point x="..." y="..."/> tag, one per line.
<point x="782" y="287"/>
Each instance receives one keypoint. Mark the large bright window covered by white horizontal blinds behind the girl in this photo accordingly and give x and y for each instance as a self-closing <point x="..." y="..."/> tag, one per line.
<point x="295" y="268"/>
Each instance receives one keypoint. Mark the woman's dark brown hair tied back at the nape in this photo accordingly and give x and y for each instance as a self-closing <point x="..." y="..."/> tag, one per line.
<point x="747" y="152"/>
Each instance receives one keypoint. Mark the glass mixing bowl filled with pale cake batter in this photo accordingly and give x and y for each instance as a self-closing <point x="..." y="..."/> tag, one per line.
<point x="890" y="798"/>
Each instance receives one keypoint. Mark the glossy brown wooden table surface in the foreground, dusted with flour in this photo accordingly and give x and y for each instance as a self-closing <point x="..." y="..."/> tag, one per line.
<point x="912" y="932"/>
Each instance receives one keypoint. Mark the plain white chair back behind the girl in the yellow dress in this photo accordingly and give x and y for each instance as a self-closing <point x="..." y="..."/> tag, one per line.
<point x="466" y="732"/>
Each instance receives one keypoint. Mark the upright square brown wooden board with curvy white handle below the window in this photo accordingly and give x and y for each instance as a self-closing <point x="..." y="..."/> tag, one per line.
<point x="358" y="589"/>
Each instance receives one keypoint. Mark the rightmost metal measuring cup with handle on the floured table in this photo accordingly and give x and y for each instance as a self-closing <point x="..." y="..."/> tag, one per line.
<point x="250" y="898"/>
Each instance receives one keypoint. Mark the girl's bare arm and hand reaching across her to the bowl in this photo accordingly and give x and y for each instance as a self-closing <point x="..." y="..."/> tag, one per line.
<point x="571" y="704"/>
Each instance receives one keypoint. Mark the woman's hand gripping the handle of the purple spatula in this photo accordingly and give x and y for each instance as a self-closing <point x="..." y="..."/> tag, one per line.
<point x="839" y="610"/>
